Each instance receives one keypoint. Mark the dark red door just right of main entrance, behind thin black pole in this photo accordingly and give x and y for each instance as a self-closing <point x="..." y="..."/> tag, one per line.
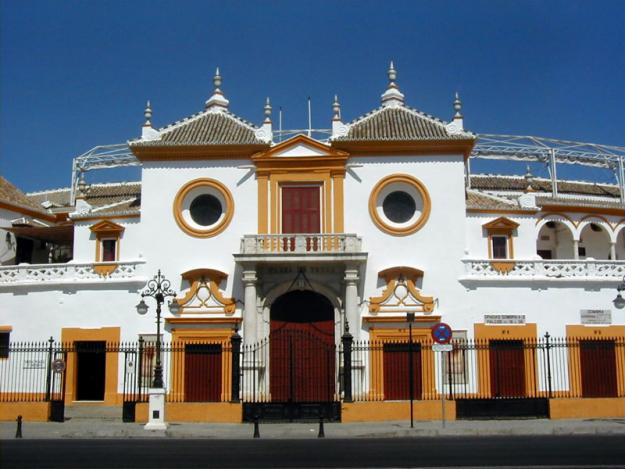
<point x="397" y="371"/>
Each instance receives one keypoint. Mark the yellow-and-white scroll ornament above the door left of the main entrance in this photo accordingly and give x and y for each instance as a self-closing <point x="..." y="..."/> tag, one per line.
<point x="204" y="295"/>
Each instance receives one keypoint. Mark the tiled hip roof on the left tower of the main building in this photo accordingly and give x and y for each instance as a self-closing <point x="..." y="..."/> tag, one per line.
<point x="206" y="128"/>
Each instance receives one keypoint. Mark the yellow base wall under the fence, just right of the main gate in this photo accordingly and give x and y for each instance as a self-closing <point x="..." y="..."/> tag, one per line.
<point x="386" y="411"/>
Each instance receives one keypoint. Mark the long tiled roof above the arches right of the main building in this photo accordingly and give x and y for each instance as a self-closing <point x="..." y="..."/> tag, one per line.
<point x="518" y="183"/>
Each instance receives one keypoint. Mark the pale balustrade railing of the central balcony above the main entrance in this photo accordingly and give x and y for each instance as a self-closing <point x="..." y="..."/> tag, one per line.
<point x="301" y="243"/>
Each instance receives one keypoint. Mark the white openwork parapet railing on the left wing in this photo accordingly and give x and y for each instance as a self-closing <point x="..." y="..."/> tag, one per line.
<point x="70" y="272"/>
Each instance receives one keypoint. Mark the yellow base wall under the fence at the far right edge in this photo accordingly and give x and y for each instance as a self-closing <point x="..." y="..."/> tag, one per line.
<point x="587" y="408"/>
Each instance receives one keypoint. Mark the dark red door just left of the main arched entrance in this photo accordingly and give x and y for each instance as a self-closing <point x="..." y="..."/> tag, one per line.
<point x="202" y="373"/>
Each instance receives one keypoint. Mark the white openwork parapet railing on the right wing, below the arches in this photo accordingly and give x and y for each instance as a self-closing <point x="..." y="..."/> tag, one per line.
<point x="488" y="269"/>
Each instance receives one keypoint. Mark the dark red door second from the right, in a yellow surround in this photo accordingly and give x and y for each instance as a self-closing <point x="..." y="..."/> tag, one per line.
<point x="507" y="368"/>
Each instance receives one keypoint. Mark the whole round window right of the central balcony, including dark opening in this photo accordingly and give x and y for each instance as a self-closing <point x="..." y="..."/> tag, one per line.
<point x="399" y="204"/>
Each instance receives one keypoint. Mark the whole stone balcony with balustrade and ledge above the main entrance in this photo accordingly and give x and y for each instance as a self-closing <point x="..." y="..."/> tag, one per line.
<point x="301" y="247"/>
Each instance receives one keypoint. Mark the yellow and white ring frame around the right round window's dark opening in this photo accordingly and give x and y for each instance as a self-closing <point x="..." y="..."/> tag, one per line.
<point x="404" y="183"/>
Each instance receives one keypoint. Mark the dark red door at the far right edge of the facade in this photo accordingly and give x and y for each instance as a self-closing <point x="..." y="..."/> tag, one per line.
<point x="598" y="363"/>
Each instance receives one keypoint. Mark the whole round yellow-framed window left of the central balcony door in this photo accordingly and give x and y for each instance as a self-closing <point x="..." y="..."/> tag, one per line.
<point x="203" y="208"/>
